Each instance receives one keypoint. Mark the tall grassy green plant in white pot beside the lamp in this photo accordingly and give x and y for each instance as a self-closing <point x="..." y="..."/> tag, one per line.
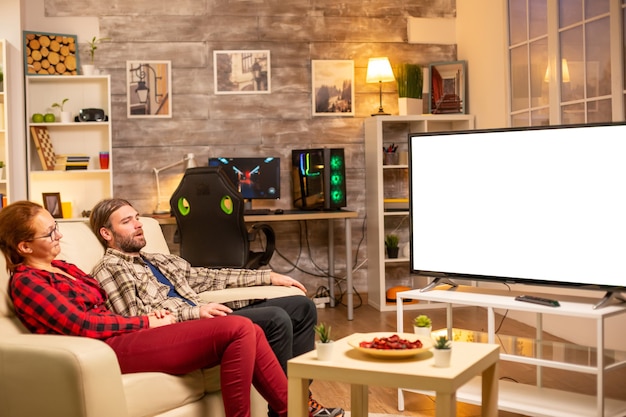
<point x="410" y="81"/>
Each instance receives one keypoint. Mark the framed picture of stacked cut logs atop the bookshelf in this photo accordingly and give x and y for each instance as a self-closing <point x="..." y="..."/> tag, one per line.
<point x="50" y="54"/>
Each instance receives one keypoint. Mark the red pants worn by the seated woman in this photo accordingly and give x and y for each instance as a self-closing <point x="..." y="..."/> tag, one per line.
<point x="233" y="342"/>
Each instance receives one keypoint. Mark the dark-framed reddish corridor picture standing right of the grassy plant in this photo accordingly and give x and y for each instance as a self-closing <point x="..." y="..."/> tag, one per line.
<point x="448" y="83"/>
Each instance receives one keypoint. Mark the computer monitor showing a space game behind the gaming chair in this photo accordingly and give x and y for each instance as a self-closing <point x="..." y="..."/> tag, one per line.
<point x="255" y="177"/>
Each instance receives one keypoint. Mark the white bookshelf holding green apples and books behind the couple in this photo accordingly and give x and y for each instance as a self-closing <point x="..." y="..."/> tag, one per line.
<point x="83" y="188"/>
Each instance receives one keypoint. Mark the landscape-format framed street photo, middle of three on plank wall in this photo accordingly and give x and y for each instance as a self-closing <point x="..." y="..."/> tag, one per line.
<point x="242" y="72"/>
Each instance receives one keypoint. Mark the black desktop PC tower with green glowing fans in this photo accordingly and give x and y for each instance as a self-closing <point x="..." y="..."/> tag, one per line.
<point x="318" y="178"/>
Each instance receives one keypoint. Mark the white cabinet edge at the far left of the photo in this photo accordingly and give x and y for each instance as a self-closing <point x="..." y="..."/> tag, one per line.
<point x="4" y="126"/>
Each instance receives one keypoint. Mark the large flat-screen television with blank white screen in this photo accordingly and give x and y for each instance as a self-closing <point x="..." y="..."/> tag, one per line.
<point x="541" y="206"/>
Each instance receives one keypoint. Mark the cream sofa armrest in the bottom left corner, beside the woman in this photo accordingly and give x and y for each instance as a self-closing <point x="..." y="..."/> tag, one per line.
<point x="59" y="376"/>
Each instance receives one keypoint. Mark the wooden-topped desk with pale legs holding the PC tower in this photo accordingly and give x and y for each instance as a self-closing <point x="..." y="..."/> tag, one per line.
<point x="293" y="215"/>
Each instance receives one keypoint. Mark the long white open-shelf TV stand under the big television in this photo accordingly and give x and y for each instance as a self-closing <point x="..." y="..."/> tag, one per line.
<point x="537" y="400"/>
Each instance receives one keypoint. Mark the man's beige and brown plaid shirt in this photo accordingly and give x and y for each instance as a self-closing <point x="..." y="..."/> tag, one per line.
<point x="133" y="290"/>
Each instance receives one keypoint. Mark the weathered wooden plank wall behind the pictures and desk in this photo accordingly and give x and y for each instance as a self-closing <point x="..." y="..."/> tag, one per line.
<point x="186" y="32"/>
